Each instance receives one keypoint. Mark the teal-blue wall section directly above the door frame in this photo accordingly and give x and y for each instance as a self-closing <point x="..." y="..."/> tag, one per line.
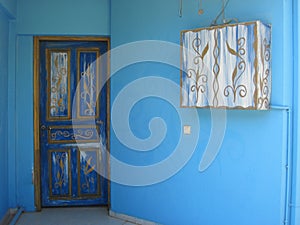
<point x="68" y="17"/>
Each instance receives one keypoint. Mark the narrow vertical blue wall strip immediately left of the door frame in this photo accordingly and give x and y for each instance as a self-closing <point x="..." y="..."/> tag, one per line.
<point x="24" y="123"/>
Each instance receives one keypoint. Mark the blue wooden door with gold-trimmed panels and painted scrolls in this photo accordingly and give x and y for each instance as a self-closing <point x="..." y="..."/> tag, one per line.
<point x="73" y="122"/>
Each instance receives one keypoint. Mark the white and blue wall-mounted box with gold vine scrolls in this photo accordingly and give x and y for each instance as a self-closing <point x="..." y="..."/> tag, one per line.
<point x="227" y="66"/>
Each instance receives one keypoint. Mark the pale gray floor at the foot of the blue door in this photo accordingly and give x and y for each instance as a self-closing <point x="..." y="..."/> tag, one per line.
<point x="70" y="216"/>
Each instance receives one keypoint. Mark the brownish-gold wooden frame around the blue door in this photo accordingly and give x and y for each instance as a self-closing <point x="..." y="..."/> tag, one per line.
<point x="36" y="92"/>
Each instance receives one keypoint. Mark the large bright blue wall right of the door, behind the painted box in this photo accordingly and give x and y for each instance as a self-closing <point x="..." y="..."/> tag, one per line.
<point x="246" y="183"/>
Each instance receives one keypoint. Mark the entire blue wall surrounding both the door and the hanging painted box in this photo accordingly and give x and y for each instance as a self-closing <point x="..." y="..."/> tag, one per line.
<point x="246" y="184"/>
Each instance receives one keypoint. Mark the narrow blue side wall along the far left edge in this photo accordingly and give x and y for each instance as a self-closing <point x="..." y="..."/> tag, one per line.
<point x="4" y="30"/>
